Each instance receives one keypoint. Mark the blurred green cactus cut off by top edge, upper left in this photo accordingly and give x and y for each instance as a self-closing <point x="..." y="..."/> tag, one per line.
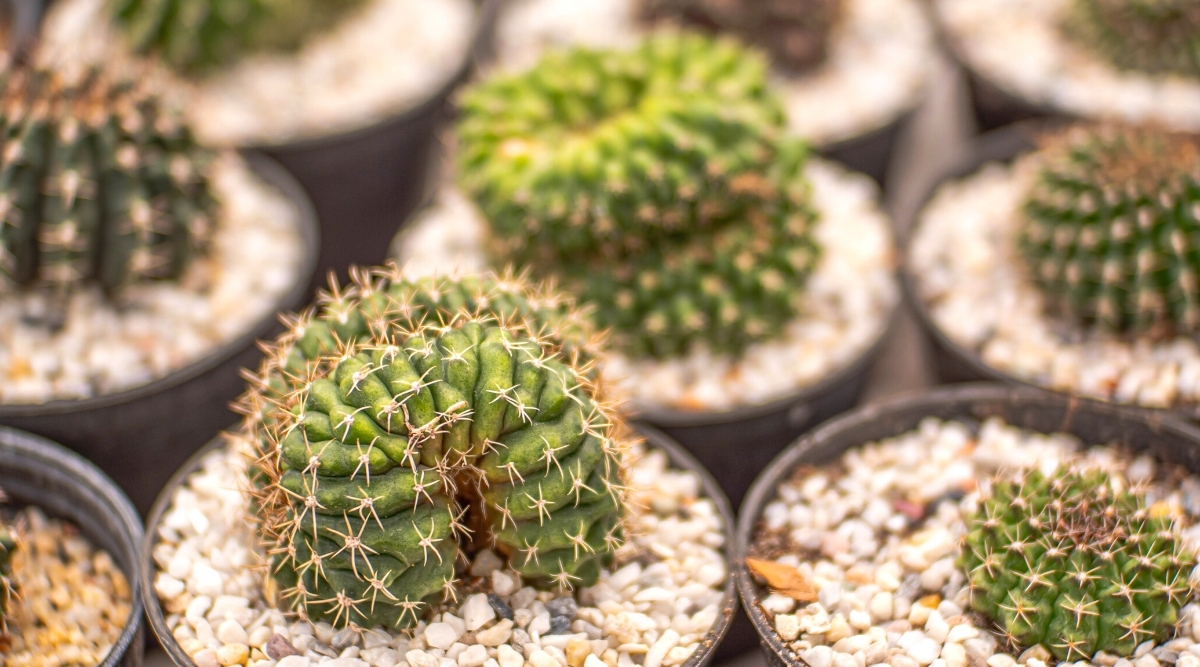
<point x="196" y="37"/>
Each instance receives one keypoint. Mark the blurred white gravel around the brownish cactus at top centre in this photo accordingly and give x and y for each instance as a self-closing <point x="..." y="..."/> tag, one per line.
<point x="878" y="67"/>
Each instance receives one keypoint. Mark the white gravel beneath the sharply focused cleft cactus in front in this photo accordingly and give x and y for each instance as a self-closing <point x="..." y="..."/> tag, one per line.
<point x="653" y="609"/>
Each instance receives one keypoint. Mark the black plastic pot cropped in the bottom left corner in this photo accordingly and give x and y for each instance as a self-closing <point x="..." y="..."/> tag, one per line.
<point x="40" y="473"/>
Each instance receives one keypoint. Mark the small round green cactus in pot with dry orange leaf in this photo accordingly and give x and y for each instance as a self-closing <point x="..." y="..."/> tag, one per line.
<point x="1077" y="563"/>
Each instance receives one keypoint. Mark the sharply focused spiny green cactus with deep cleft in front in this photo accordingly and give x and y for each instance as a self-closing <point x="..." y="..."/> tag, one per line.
<point x="407" y="423"/>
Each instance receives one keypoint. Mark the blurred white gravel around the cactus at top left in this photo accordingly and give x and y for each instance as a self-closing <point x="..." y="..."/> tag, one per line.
<point x="379" y="63"/>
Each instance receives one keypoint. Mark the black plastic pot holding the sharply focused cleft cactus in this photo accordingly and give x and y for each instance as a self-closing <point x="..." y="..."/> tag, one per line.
<point x="677" y="456"/>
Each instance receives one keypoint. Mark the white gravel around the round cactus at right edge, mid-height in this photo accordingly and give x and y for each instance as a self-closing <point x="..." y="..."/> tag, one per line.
<point x="968" y="273"/>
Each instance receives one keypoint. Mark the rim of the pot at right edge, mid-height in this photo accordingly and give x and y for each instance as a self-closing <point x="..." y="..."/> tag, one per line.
<point x="994" y="147"/>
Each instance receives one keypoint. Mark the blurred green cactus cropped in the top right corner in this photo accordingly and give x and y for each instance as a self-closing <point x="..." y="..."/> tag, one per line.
<point x="1154" y="37"/>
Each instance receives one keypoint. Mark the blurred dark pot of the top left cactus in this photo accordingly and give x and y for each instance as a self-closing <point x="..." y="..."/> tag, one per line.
<point x="367" y="183"/>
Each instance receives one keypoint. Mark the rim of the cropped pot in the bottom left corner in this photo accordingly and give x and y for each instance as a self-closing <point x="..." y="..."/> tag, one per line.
<point x="55" y="455"/>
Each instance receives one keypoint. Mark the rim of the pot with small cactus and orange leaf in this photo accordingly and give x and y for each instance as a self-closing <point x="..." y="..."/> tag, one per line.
<point x="766" y="485"/>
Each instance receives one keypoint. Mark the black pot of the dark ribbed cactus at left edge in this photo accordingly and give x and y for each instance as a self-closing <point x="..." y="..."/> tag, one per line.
<point x="140" y="436"/>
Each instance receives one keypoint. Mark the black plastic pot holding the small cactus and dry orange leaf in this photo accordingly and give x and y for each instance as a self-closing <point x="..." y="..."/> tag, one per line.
<point x="1167" y="436"/>
